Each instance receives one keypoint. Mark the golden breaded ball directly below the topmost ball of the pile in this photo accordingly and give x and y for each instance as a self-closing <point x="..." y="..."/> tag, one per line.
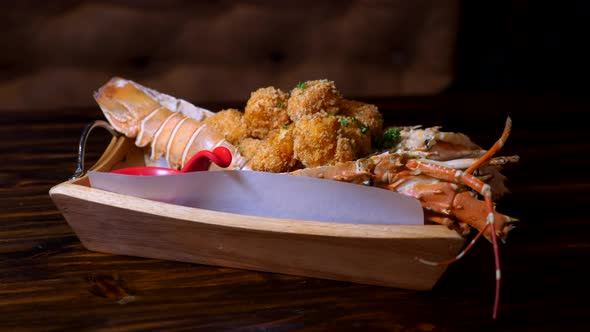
<point x="316" y="138"/>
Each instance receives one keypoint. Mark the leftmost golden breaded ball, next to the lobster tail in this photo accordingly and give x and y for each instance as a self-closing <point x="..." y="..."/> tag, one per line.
<point x="230" y="123"/>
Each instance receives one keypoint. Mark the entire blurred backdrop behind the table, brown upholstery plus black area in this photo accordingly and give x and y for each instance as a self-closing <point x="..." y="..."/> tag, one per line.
<point x="56" y="53"/>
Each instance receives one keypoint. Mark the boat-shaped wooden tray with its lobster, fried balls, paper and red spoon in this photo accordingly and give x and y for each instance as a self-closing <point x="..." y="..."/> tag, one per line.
<point x="282" y="146"/>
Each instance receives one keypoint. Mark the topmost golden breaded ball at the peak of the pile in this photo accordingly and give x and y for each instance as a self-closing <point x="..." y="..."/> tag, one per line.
<point x="312" y="97"/>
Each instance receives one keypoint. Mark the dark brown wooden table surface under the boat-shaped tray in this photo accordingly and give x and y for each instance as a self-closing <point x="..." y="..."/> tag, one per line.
<point x="49" y="281"/>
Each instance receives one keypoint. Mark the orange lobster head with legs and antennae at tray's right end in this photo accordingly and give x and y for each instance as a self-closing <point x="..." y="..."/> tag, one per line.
<point x="440" y="174"/>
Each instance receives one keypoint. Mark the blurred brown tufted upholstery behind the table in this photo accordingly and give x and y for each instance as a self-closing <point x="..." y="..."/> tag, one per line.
<point x="56" y="53"/>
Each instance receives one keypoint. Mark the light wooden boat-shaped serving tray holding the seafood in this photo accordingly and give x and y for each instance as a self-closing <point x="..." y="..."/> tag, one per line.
<point x="370" y="254"/>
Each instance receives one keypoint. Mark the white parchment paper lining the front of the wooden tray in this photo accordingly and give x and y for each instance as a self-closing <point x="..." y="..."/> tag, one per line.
<point x="269" y="195"/>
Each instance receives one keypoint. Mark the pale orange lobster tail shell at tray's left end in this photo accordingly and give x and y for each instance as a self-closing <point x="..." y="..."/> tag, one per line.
<point x="173" y="128"/>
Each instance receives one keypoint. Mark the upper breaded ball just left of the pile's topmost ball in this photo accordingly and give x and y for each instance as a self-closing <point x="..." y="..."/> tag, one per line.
<point x="266" y="110"/>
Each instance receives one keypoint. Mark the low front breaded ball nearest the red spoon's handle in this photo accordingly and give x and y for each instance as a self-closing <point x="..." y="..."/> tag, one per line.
<point x="273" y="154"/>
